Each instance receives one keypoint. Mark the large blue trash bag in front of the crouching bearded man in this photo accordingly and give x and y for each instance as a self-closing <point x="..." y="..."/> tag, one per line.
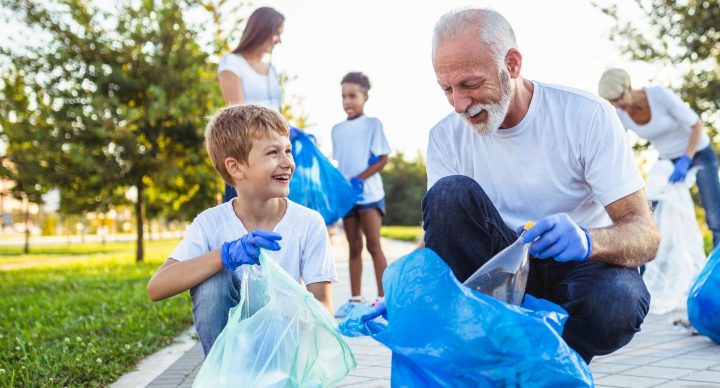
<point x="442" y="333"/>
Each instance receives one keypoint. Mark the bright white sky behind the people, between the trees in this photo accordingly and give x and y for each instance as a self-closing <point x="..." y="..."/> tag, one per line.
<point x="562" y="42"/>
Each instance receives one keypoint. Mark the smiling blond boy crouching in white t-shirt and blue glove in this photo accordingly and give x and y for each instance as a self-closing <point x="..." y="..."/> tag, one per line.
<point x="250" y="148"/>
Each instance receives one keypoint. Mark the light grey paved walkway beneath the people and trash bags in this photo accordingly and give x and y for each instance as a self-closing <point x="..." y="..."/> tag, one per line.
<point x="661" y="355"/>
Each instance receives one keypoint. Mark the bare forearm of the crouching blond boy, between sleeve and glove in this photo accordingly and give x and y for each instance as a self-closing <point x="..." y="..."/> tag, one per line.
<point x="174" y="276"/>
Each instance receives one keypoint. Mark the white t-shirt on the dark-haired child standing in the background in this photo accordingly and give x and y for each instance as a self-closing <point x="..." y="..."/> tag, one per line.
<point x="353" y="142"/>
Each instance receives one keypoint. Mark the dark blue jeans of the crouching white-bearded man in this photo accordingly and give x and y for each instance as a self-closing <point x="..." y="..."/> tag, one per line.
<point x="606" y="303"/>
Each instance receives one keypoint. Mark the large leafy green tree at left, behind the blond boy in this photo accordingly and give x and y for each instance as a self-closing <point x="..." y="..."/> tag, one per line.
<point x="113" y="107"/>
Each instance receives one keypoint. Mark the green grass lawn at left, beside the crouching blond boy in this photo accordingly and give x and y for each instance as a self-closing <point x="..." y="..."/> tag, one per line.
<point x="83" y="323"/>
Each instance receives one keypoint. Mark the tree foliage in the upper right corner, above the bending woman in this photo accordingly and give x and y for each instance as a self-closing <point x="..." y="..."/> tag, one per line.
<point x="678" y="33"/>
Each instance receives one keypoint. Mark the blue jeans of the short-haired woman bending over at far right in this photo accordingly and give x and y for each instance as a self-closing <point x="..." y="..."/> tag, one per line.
<point x="709" y="188"/>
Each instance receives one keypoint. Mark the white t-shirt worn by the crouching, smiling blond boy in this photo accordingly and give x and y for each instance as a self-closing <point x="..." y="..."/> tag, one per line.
<point x="304" y="249"/>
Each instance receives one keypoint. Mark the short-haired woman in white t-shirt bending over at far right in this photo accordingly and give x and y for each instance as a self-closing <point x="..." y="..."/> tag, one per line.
<point x="658" y="114"/>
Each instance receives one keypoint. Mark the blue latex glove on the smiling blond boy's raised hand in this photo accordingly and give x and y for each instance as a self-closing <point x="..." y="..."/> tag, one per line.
<point x="246" y="249"/>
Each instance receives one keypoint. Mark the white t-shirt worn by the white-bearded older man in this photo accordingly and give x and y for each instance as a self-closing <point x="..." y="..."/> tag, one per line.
<point x="569" y="154"/>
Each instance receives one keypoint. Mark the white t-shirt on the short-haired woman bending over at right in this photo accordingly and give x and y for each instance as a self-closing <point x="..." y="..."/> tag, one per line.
<point x="670" y="124"/>
